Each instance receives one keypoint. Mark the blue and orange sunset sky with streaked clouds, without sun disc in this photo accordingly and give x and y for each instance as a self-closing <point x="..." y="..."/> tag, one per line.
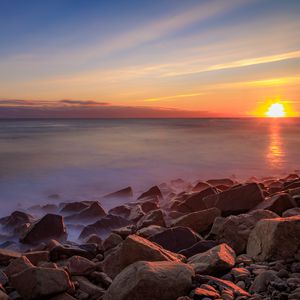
<point x="159" y="58"/>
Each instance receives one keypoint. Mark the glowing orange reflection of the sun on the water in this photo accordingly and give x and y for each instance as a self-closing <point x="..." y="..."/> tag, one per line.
<point x="275" y="151"/>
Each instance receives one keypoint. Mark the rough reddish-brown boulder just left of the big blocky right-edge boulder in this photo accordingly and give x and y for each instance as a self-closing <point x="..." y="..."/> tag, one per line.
<point x="235" y="230"/>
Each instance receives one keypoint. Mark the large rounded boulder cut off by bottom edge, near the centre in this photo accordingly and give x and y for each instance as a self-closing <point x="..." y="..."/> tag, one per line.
<point x="151" y="280"/>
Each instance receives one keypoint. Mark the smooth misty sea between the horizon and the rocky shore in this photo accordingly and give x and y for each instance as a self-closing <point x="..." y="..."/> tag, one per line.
<point x="85" y="159"/>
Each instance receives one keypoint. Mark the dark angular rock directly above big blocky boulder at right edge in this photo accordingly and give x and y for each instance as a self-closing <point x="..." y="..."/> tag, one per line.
<point x="278" y="203"/>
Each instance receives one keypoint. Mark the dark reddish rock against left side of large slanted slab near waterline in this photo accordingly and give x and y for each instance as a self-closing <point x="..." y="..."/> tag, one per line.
<point x="195" y="202"/>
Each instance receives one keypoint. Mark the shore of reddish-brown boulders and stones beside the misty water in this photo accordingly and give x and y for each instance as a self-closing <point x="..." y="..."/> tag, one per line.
<point x="219" y="239"/>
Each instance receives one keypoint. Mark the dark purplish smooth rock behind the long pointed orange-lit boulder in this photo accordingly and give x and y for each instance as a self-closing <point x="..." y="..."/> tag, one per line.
<point x="176" y="238"/>
